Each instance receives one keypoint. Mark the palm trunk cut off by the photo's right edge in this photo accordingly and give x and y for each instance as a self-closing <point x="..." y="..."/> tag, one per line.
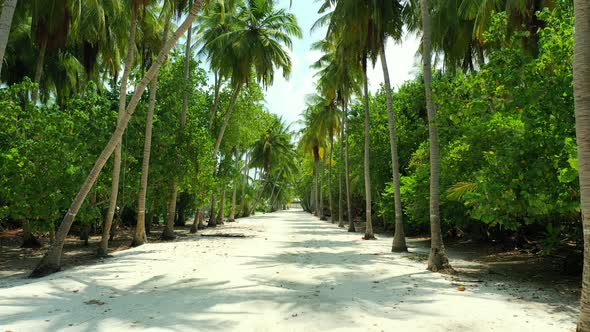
<point x="582" y="103"/>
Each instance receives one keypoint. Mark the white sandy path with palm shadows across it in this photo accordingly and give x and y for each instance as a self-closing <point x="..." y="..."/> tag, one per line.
<point x="291" y="272"/>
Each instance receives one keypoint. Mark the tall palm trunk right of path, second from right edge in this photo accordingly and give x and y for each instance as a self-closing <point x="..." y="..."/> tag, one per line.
<point x="438" y="258"/>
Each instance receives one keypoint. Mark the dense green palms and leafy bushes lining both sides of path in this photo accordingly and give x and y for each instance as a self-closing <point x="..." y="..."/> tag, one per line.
<point x="489" y="142"/>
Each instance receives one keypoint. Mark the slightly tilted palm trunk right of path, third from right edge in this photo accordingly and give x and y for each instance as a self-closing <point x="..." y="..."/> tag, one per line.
<point x="399" y="238"/>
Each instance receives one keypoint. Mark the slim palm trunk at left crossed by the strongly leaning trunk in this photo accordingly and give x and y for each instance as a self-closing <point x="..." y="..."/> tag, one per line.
<point x="106" y="229"/>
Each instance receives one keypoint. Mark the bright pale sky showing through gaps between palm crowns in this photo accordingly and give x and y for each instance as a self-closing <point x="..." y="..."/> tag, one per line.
<point x="287" y="97"/>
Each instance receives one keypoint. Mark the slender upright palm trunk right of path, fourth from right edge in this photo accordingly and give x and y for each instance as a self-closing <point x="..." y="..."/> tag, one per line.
<point x="369" y="223"/>
